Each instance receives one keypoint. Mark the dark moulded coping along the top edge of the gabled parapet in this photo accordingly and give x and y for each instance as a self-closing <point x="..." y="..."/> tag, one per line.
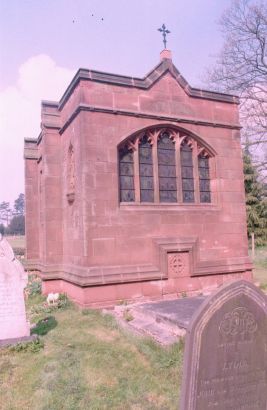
<point x="166" y="65"/>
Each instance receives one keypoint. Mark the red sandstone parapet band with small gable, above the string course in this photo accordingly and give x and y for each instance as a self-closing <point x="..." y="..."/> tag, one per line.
<point x="164" y="97"/>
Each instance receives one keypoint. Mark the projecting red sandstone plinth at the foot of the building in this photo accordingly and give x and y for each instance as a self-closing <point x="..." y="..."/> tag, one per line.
<point x="169" y="288"/>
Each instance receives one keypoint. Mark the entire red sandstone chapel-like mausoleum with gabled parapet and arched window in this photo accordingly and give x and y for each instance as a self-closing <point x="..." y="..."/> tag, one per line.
<point x="134" y="189"/>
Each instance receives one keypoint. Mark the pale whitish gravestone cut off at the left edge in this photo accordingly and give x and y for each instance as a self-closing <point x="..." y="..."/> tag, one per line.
<point x="13" y="279"/>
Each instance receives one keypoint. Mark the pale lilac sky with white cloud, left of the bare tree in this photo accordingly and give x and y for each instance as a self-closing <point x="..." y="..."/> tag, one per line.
<point x="44" y="42"/>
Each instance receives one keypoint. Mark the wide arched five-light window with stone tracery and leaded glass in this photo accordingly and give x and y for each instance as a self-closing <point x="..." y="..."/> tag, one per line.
<point x="164" y="165"/>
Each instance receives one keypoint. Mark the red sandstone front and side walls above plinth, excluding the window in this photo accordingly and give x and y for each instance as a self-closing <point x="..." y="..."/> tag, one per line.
<point x="95" y="230"/>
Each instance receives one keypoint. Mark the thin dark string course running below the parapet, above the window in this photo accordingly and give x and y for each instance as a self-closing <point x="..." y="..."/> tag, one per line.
<point x="181" y="120"/>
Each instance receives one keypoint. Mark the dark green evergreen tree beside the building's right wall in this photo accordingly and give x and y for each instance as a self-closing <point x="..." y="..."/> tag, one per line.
<point x="256" y="202"/>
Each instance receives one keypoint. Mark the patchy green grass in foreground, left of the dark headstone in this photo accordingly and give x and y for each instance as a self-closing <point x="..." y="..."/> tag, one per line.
<point x="87" y="362"/>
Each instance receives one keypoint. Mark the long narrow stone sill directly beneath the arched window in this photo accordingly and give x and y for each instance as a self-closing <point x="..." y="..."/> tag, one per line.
<point x="148" y="206"/>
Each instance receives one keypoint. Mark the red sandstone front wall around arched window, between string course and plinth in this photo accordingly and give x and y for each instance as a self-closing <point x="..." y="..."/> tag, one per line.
<point x="123" y="233"/>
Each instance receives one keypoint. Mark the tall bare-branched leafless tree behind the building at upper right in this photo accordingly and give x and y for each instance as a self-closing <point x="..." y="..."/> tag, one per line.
<point x="241" y="68"/>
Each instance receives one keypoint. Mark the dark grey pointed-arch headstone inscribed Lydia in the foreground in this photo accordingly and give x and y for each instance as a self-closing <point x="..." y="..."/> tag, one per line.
<point x="225" y="366"/>
